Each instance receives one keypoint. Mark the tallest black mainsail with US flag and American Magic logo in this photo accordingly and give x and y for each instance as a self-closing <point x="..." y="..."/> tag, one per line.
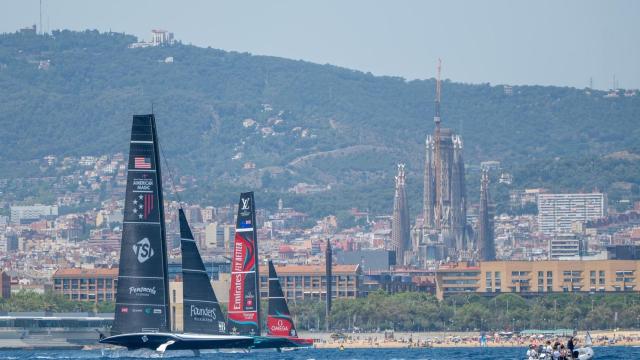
<point x="142" y="300"/>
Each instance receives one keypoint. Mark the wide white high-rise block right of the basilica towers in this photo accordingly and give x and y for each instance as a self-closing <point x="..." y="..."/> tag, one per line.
<point x="557" y="212"/>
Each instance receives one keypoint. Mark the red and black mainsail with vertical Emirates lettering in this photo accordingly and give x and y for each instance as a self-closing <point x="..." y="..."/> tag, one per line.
<point x="244" y="293"/>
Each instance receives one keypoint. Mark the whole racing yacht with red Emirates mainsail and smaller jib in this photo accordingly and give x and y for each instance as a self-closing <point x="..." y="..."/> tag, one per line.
<point x="244" y="293"/>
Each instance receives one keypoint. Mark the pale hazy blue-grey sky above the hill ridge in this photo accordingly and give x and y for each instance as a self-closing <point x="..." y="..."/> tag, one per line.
<point x="547" y="42"/>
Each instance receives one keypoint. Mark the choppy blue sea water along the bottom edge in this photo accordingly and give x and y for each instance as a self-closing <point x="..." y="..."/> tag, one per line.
<point x="602" y="353"/>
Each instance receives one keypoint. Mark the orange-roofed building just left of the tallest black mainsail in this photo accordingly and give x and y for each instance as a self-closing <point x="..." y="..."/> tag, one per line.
<point x="95" y="285"/>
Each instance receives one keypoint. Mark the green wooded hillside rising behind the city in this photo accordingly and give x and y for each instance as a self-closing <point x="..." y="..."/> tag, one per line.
<point x="297" y="121"/>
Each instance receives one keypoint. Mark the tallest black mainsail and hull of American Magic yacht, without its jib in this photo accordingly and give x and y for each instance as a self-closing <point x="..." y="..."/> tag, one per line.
<point x="142" y="319"/>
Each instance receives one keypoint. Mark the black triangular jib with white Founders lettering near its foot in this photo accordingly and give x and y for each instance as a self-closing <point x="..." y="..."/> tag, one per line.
<point x="201" y="310"/>
